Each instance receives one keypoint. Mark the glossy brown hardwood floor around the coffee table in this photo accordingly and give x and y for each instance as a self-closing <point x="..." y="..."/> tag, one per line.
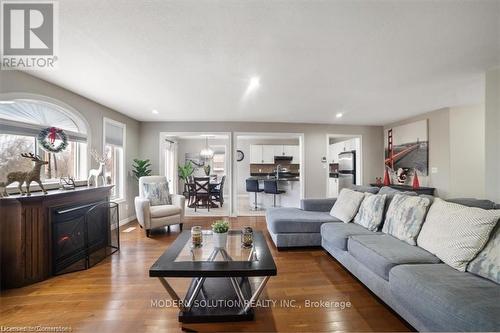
<point x="117" y="294"/>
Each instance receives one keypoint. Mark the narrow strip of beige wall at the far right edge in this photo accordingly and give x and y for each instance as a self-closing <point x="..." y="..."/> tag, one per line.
<point x="492" y="115"/>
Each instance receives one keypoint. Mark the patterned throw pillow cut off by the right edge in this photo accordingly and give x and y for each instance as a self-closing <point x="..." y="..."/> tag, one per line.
<point x="487" y="262"/>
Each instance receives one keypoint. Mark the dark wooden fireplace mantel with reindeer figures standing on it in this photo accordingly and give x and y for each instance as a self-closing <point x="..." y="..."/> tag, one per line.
<point x="25" y="232"/>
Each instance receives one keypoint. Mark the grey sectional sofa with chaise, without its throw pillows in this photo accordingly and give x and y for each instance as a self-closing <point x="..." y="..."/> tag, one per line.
<point x="428" y="294"/>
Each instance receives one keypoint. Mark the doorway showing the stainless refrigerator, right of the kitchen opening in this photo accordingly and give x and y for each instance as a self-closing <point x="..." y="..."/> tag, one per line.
<point x="345" y="162"/>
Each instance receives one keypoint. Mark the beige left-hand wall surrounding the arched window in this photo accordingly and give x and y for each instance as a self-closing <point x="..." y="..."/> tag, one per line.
<point x="18" y="82"/>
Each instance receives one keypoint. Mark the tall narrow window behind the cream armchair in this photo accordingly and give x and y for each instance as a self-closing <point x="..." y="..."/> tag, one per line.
<point x="114" y="147"/>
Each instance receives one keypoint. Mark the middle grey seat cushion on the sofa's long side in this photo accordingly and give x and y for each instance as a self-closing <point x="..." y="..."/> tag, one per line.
<point x="380" y="253"/>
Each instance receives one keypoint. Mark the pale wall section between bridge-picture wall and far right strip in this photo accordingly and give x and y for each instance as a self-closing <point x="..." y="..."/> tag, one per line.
<point x="467" y="152"/>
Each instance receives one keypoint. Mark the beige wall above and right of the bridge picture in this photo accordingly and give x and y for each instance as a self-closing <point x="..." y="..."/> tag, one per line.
<point x="456" y="151"/>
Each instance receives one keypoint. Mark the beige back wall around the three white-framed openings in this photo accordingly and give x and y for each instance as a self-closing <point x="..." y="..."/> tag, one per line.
<point x="315" y="146"/>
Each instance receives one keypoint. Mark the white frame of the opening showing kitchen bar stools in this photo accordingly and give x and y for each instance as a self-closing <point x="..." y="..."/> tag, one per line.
<point x="277" y="135"/>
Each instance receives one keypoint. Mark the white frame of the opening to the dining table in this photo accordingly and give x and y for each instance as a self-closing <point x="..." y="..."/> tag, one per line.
<point x="229" y="154"/>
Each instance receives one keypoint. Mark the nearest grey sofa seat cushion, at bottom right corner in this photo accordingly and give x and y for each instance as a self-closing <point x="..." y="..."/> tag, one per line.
<point x="448" y="300"/>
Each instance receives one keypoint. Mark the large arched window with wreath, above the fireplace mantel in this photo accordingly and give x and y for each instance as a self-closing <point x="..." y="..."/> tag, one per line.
<point x="21" y="120"/>
